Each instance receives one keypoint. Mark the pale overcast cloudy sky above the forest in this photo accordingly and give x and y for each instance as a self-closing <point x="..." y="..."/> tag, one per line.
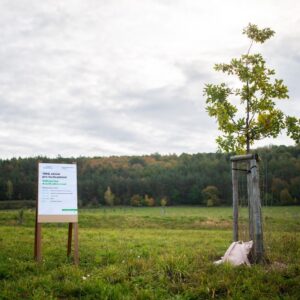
<point x="126" y="77"/>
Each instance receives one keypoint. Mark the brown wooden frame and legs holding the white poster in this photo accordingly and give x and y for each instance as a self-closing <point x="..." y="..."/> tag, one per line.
<point x="73" y="224"/>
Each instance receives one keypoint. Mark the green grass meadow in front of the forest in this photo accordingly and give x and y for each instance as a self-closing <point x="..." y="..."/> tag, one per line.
<point x="143" y="253"/>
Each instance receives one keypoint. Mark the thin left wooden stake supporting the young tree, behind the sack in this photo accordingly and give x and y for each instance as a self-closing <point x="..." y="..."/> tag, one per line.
<point x="235" y="204"/>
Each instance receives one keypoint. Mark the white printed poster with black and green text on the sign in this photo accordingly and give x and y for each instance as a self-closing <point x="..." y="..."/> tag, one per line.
<point x="57" y="190"/>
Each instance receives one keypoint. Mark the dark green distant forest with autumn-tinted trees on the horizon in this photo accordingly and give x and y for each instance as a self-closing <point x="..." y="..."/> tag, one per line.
<point x="146" y="180"/>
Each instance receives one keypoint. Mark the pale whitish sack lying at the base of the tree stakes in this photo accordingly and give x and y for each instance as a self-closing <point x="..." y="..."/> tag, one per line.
<point x="237" y="254"/>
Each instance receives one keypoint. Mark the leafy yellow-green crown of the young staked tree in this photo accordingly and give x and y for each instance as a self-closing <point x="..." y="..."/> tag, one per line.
<point x="257" y="116"/>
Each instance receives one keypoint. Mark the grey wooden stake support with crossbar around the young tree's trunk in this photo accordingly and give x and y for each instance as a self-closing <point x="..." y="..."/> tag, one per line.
<point x="254" y="203"/>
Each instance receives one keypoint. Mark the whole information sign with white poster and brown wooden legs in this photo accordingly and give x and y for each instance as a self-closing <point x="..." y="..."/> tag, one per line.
<point x="57" y="203"/>
